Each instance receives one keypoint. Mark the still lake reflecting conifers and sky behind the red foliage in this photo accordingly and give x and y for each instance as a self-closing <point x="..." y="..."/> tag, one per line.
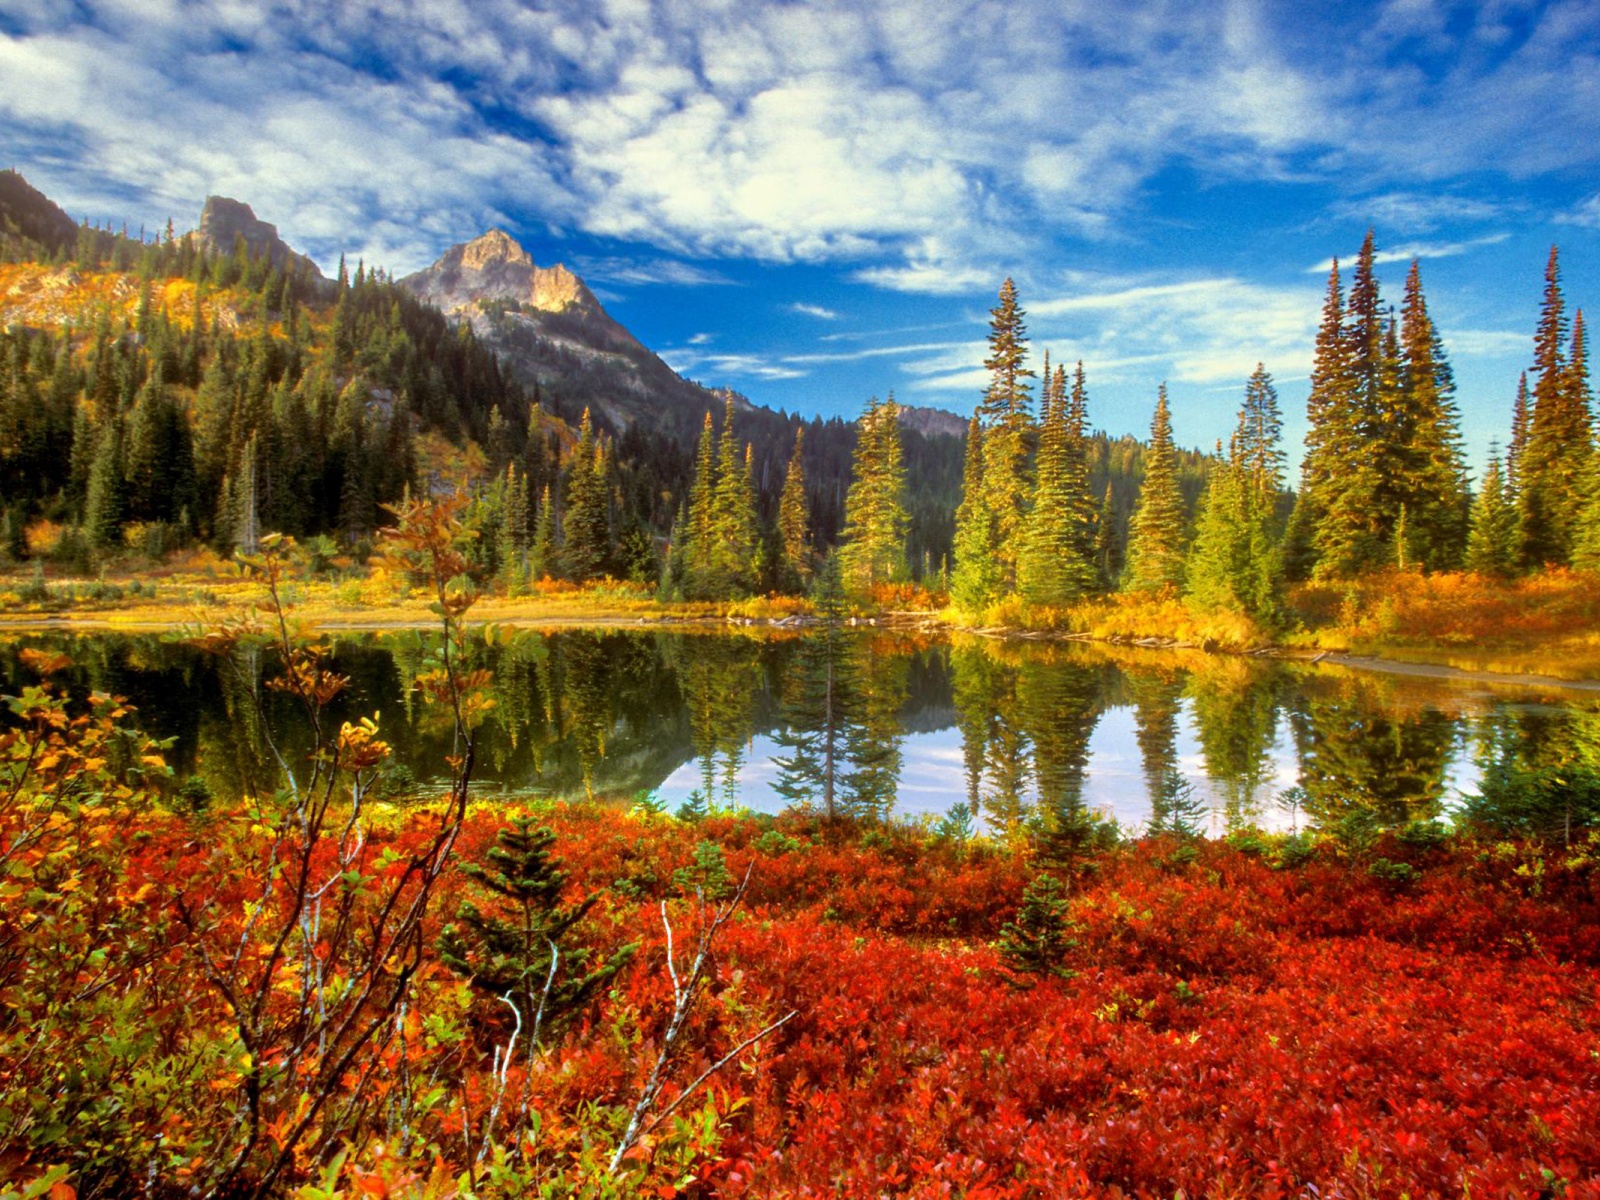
<point x="868" y="722"/>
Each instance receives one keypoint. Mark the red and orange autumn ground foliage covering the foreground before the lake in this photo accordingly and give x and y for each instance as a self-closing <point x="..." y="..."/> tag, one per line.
<point x="1231" y="1030"/>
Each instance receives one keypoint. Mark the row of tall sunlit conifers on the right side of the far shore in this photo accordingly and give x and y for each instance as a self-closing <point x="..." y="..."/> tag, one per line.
<point x="1383" y="484"/>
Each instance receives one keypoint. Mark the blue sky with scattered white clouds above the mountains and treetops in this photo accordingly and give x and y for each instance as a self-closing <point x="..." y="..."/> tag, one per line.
<point x="817" y="202"/>
